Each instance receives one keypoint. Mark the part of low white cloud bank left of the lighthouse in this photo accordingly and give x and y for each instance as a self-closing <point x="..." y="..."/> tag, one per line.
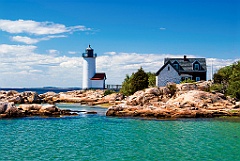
<point x="20" y="66"/>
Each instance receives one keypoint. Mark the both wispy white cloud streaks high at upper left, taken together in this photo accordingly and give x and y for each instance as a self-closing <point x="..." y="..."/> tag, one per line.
<point x="33" y="32"/>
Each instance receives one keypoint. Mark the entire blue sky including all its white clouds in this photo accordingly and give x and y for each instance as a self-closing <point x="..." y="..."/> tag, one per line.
<point x="41" y="41"/>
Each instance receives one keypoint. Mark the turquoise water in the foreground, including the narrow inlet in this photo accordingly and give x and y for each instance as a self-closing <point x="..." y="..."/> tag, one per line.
<point x="97" y="137"/>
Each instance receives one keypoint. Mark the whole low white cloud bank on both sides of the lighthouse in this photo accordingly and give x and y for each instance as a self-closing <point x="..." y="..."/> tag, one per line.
<point x="21" y="66"/>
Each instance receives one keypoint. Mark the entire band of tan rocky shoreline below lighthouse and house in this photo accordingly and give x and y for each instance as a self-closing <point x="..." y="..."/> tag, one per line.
<point x="189" y="100"/>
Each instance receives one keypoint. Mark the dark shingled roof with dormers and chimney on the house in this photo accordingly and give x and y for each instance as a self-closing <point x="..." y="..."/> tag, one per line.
<point x="186" y="64"/>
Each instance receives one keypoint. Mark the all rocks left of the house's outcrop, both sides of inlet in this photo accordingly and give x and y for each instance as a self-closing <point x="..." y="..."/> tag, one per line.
<point x="14" y="104"/>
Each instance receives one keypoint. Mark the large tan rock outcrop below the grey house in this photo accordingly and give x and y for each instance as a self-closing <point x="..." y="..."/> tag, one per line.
<point x="189" y="100"/>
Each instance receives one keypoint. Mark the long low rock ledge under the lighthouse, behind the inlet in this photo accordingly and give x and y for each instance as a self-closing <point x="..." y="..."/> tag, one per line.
<point x="90" y="97"/>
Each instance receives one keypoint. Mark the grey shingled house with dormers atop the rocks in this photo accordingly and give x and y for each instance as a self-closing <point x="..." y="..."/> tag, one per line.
<point x="179" y="69"/>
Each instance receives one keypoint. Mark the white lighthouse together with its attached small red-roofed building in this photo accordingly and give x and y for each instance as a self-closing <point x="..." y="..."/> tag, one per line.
<point x="91" y="79"/>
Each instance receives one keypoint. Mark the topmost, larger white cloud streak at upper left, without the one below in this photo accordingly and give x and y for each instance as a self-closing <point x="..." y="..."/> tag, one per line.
<point x="37" y="28"/>
